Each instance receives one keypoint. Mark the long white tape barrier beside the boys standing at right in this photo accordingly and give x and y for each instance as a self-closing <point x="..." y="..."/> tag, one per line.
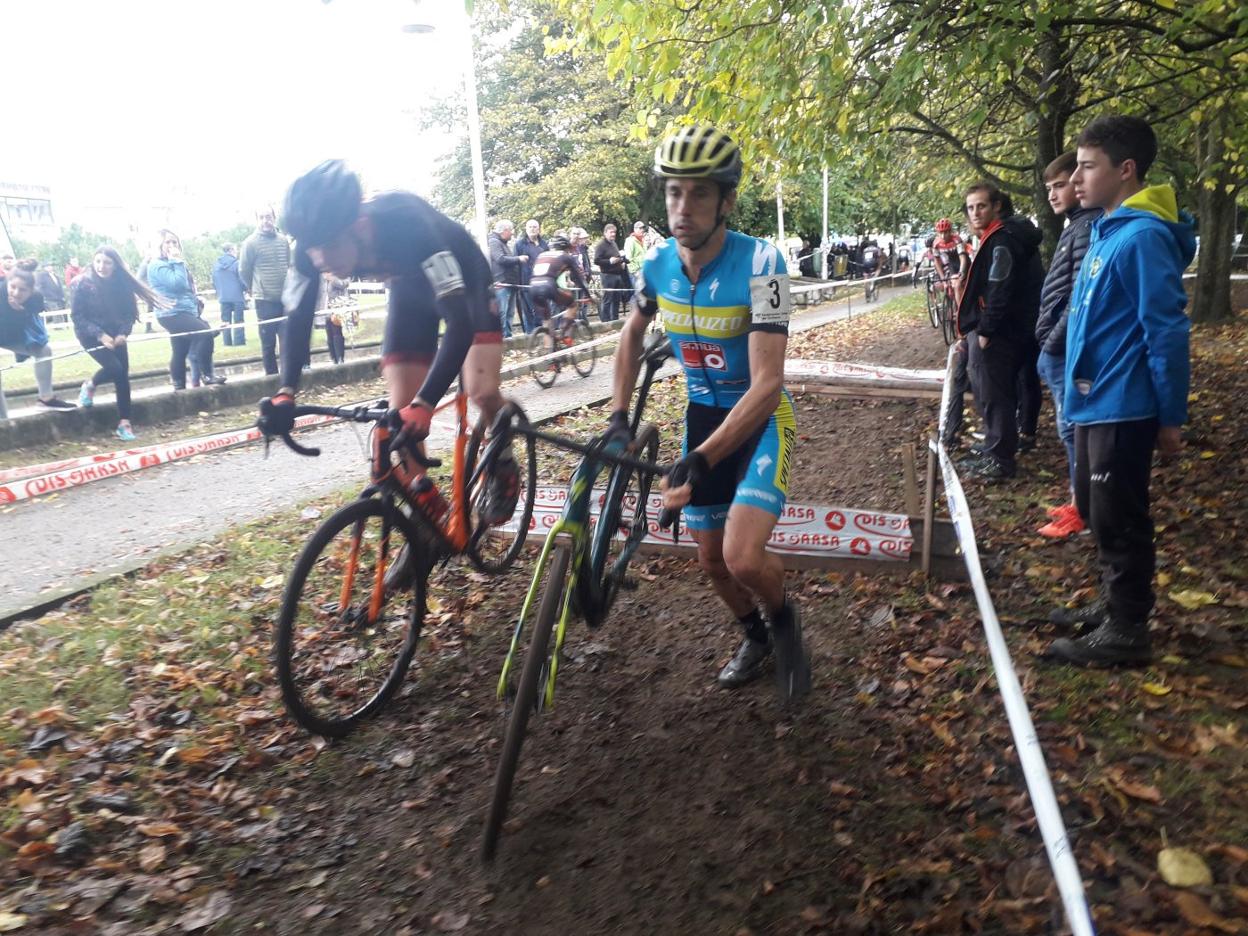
<point x="1031" y="757"/>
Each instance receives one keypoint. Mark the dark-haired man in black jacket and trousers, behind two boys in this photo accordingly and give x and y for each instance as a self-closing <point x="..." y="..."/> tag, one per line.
<point x="1000" y="305"/>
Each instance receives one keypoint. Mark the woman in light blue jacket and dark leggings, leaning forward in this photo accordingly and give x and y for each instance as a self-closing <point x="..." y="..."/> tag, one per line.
<point x="192" y="336"/>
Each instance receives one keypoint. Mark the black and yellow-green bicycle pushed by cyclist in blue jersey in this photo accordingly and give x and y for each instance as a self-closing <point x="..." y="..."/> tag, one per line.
<point x="585" y="571"/>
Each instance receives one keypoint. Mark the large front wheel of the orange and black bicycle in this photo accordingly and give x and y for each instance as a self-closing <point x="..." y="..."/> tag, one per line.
<point x="344" y="643"/>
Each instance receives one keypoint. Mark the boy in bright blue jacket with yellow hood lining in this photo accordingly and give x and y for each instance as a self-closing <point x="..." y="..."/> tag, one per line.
<point x="1128" y="373"/>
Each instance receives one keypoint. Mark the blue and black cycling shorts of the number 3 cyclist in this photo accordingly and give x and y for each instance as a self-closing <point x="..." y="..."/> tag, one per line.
<point x="756" y="475"/>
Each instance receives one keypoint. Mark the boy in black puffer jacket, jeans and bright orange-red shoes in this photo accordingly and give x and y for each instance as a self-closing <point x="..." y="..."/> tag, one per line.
<point x="1055" y="303"/>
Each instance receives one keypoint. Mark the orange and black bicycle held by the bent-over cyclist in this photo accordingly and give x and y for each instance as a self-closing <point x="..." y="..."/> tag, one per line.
<point x="345" y="637"/>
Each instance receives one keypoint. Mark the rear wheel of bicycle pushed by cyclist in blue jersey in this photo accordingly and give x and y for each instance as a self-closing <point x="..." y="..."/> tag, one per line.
<point x="625" y="511"/>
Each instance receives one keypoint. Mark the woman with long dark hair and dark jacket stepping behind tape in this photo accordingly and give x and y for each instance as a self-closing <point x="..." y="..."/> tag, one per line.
<point x="104" y="314"/>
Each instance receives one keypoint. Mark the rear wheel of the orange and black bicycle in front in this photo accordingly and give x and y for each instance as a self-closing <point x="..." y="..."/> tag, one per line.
<point x="494" y="547"/>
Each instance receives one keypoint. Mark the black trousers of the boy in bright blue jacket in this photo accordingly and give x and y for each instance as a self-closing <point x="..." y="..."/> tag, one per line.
<point x="1113" y="469"/>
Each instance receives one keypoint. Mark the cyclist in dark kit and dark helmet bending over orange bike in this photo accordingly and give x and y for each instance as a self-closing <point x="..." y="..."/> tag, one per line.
<point x="435" y="273"/>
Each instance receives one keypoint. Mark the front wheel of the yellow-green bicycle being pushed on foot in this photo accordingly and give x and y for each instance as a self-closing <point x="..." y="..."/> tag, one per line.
<point x="529" y="700"/>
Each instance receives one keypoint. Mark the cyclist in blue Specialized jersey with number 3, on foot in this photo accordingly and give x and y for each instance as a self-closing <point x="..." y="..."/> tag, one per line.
<point x="726" y="306"/>
